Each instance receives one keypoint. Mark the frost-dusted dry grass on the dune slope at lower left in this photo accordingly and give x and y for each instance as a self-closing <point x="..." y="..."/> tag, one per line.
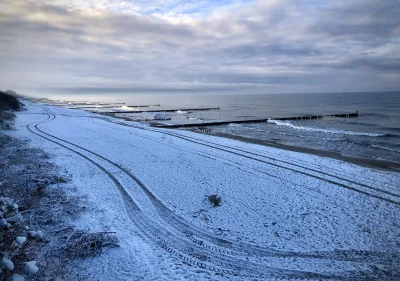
<point x="29" y="178"/>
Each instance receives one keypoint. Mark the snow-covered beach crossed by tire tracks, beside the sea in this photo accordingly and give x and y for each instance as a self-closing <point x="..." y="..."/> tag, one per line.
<point x="283" y="214"/>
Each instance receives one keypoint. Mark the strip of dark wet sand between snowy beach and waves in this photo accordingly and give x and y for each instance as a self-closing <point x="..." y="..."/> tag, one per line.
<point x="369" y="163"/>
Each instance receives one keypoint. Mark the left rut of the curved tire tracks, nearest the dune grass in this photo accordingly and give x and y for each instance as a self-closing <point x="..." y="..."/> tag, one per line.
<point x="217" y="262"/>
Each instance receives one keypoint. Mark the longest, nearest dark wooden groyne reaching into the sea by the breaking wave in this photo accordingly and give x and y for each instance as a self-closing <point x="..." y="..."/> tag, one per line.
<point x="217" y="123"/>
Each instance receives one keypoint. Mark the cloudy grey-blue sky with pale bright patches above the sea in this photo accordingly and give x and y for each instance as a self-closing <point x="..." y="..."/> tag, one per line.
<point x="228" y="46"/>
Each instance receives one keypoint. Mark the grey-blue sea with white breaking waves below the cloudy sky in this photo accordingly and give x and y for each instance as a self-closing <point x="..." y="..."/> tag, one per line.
<point x="374" y="134"/>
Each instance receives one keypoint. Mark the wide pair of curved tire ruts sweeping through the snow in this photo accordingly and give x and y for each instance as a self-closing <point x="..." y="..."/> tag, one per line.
<point x="200" y="248"/>
